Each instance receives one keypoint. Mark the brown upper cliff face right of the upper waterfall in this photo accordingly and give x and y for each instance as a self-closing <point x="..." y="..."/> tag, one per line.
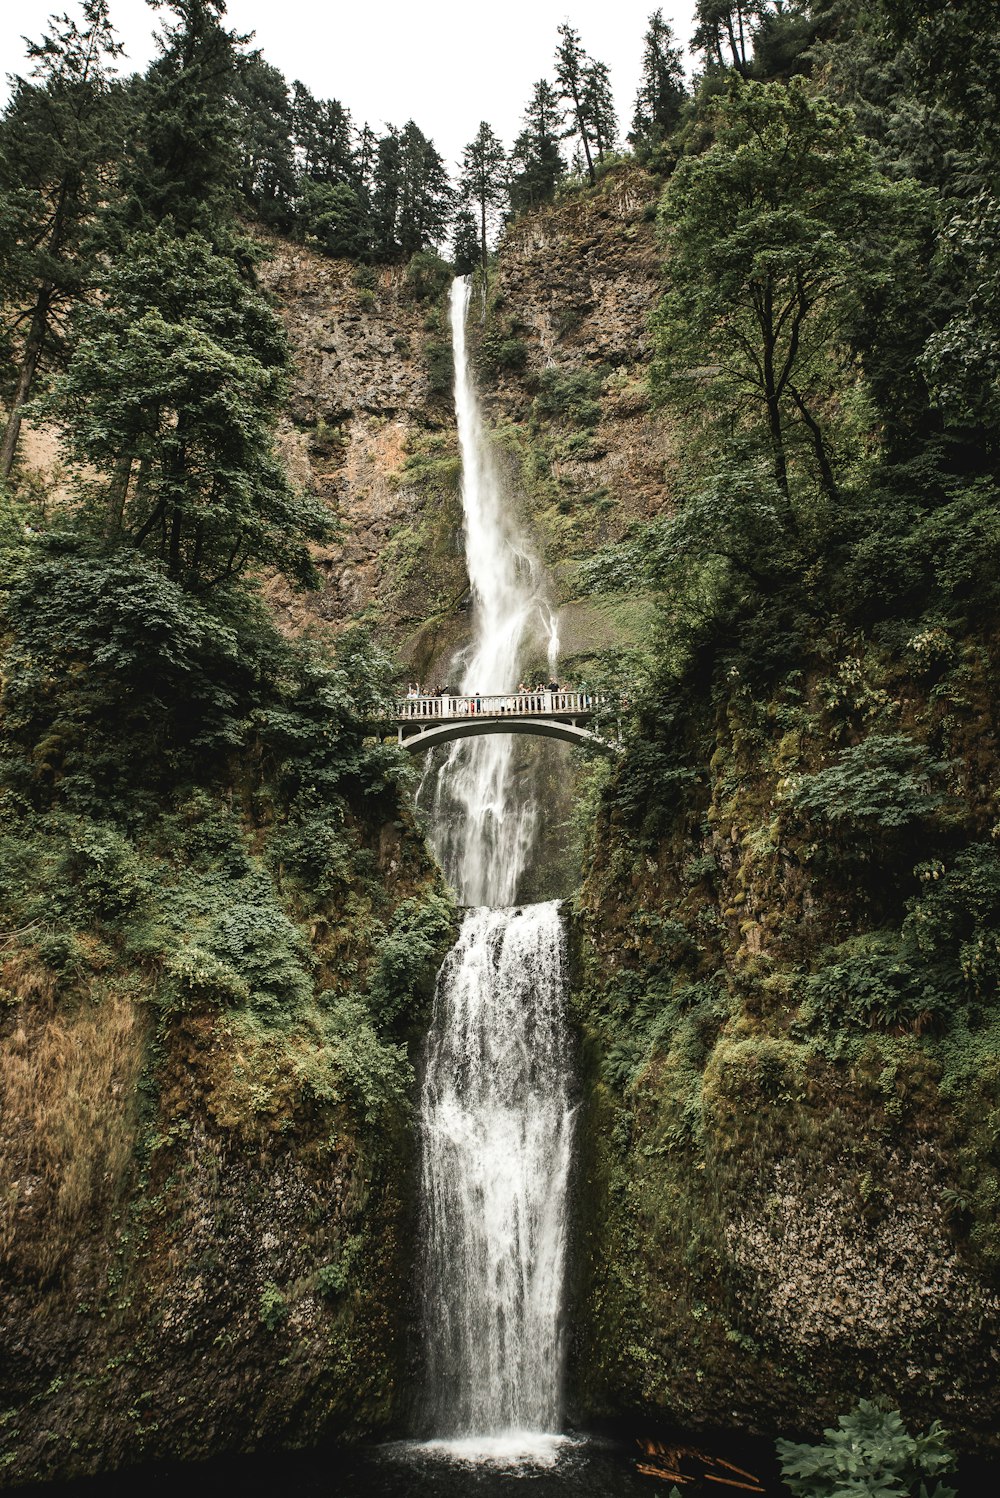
<point x="564" y="348"/>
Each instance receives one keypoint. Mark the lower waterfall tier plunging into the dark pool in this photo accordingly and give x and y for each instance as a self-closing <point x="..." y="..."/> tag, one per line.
<point x="498" y="1136"/>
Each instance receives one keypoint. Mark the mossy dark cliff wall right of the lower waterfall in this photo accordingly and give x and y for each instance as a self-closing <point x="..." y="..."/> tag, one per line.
<point x="793" y="1169"/>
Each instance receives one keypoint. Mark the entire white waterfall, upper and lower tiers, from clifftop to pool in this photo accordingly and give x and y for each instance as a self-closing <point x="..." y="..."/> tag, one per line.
<point x="496" y="1112"/>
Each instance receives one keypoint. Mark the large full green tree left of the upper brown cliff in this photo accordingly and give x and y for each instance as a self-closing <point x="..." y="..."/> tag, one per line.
<point x="173" y="398"/>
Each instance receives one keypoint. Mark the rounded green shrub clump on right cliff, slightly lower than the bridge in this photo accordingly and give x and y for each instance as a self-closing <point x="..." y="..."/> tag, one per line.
<point x="884" y="783"/>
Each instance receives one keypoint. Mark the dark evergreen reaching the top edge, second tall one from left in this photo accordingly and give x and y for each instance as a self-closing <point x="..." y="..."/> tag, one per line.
<point x="185" y="163"/>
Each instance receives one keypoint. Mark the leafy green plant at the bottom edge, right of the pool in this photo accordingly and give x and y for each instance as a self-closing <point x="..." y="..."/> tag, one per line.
<point x="872" y="1455"/>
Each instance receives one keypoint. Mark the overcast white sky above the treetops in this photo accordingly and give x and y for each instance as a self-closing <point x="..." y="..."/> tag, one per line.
<point x="445" y="64"/>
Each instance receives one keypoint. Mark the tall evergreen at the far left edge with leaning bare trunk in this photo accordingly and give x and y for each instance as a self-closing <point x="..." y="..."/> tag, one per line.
<point x="56" y="142"/>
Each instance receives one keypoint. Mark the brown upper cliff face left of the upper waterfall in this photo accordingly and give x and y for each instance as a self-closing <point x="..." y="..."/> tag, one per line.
<point x="362" y="414"/>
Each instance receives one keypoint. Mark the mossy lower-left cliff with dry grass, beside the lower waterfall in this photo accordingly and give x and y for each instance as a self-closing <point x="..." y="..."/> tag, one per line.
<point x="207" y="1208"/>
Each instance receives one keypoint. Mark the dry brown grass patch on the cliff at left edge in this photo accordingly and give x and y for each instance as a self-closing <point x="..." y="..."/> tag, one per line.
<point x="68" y="1087"/>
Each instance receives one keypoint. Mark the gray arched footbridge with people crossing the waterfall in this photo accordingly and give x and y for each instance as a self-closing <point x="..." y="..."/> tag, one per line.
<point x="423" y="723"/>
